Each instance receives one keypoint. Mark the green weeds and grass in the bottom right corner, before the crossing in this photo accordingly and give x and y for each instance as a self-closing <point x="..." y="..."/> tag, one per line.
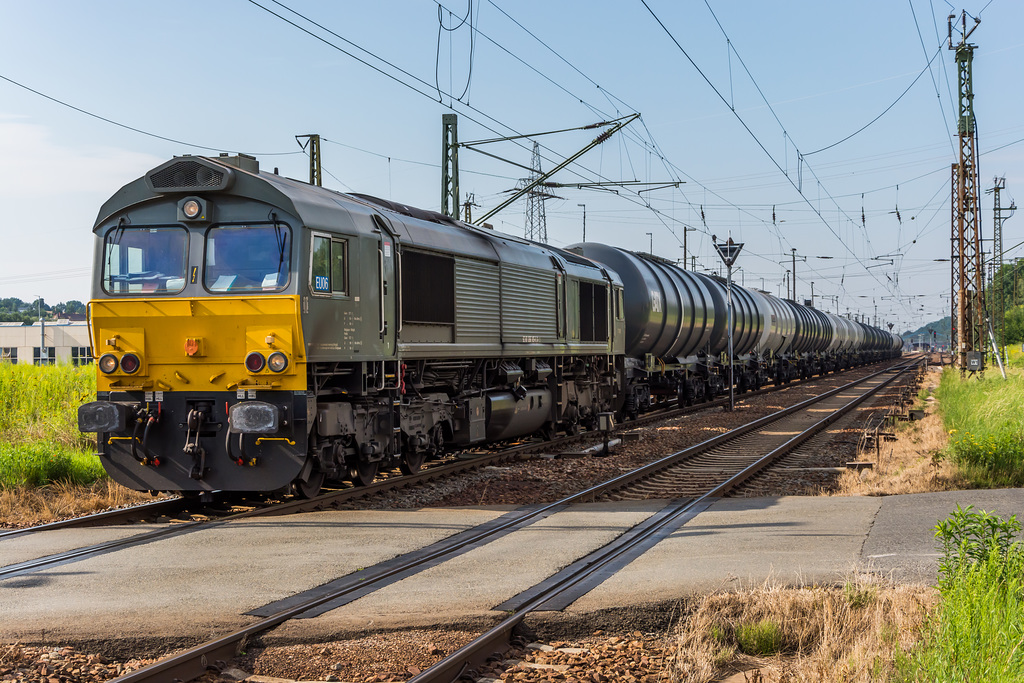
<point x="977" y="634"/>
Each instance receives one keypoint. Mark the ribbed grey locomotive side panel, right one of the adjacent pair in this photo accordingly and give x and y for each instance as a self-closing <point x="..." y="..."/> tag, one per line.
<point x="529" y="306"/>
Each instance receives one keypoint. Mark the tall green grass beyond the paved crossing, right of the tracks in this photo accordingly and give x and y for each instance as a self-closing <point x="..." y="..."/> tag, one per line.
<point x="987" y="428"/>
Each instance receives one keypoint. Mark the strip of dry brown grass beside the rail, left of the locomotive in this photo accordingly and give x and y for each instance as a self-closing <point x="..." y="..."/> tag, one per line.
<point x="28" y="506"/>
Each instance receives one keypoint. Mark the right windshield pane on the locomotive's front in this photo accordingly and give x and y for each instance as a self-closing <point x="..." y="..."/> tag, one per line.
<point x="247" y="259"/>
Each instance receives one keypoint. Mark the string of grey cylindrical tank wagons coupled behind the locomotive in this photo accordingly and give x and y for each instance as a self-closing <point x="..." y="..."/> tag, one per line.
<point x="677" y="336"/>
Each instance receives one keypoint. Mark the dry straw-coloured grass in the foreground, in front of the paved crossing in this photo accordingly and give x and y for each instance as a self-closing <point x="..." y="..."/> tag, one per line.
<point x="850" y="633"/>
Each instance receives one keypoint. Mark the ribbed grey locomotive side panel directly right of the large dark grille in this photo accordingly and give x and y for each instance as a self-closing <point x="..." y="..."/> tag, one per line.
<point x="477" y="303"/>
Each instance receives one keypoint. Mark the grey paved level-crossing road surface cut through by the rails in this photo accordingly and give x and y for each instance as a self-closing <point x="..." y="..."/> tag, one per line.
<point x="192" y="586"/>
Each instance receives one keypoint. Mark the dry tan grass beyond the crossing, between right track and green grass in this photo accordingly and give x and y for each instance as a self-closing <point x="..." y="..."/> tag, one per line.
<point x="911" y="464"/>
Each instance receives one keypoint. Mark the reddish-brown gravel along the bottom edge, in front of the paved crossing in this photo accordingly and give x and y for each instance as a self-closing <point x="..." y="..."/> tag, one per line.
<point x="629" y="657"/>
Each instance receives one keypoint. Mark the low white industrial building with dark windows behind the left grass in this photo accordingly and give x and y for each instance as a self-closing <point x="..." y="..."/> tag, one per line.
<point x="62" y="341"/>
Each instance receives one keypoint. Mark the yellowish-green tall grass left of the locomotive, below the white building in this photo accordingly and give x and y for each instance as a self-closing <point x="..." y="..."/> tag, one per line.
<point x="39" y="438"/>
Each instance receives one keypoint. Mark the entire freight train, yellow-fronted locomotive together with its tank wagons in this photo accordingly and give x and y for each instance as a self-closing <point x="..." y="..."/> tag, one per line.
<point x="255" y="333"/>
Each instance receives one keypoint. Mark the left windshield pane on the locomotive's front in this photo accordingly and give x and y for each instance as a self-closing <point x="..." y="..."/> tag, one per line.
<point x="145" y="261"/>
